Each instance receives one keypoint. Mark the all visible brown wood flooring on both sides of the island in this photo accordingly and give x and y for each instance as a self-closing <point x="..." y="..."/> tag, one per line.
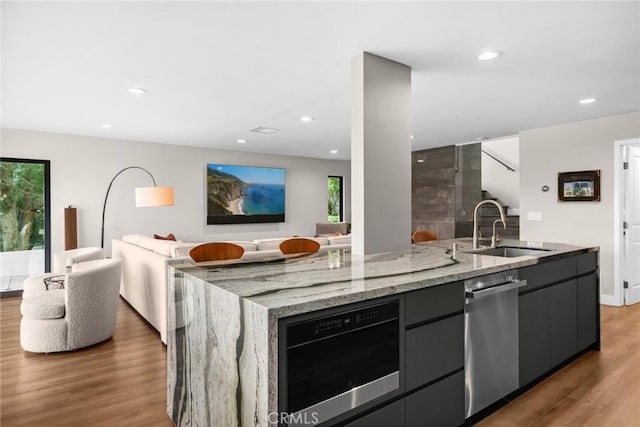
<point x="122" y="382"/>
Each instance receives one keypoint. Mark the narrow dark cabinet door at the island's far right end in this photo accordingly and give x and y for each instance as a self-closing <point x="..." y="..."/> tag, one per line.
<point x="588" y="311"/>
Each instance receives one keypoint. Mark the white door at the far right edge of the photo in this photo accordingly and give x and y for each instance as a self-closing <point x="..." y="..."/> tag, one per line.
<point x="631" y="269"/>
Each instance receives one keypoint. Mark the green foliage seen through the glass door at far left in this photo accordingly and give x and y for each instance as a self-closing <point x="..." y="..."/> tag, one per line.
<point x="21" y="206"/>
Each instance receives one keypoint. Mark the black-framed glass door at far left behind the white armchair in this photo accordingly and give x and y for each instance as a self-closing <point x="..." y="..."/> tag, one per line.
<point x="25" y="242"/>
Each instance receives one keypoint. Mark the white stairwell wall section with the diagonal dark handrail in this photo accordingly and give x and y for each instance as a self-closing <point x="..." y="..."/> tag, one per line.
<point x="496" y="178"/>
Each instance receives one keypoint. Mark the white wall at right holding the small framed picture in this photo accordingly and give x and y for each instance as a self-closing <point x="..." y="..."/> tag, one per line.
<point x="579" y="146"/>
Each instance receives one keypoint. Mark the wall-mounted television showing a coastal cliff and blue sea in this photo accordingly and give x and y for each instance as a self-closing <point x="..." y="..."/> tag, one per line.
<point x="244" y="194"/>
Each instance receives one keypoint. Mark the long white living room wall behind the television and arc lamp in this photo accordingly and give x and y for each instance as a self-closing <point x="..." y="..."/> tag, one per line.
<point x="81" y="168"/>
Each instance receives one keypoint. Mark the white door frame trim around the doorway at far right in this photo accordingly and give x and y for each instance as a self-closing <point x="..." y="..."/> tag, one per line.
<point x="618" y="243"/>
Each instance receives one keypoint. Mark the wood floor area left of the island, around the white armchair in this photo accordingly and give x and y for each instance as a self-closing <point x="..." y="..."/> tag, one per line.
<point x="120" y="382"/>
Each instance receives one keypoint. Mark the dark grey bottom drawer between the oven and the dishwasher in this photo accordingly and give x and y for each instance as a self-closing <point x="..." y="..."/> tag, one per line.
<point x="441" y="404"/>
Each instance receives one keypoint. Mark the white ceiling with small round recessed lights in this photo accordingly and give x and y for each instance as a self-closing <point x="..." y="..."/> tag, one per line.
<point x="215" y="70"/>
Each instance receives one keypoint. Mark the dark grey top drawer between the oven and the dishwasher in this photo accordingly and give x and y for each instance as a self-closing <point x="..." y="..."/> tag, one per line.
<point x="431" y="303"/>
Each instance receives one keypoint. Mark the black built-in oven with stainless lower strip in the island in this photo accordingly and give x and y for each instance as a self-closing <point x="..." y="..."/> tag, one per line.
<point x="336" y="362"/>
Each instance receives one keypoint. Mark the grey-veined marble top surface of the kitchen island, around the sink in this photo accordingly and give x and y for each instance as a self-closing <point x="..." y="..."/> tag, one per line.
<point x="290" y="286"/>
